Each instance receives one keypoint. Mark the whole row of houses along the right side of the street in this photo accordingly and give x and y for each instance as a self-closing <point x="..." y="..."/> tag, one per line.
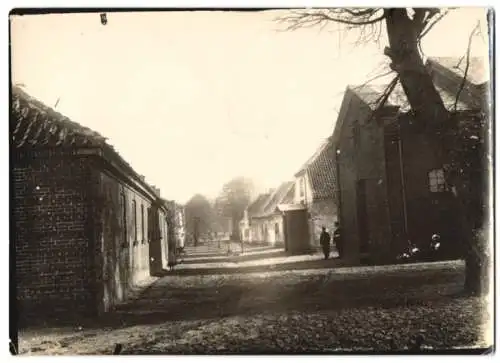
<point x="377" y="174"/>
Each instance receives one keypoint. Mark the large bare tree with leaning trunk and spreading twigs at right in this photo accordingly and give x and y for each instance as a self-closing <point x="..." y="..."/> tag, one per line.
<point x="406" y="27"/>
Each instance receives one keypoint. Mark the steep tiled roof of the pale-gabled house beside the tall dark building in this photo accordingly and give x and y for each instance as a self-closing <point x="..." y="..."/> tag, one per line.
<point x="322" y="173"/>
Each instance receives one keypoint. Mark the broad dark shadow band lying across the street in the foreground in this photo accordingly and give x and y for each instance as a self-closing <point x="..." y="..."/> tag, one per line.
<point x="314" y="295"/>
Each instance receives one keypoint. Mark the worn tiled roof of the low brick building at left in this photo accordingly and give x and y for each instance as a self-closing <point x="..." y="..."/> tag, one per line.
<point x="34" y="125"/>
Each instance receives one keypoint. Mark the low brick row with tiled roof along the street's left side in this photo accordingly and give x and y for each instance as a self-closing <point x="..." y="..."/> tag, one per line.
<point x="86" y="228"/>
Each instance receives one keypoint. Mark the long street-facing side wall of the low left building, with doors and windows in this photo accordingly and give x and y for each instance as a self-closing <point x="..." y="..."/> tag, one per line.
<point x="131" y="237"/>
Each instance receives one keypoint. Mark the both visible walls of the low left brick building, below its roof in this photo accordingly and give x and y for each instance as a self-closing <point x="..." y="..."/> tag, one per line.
<point x="76" y="249"/>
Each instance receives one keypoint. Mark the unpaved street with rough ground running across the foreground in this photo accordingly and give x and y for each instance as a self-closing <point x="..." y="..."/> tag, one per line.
<point x="318" y="309"/>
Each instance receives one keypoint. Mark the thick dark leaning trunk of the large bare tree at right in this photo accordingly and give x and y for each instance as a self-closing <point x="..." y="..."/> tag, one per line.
<point x="434" y="119"/>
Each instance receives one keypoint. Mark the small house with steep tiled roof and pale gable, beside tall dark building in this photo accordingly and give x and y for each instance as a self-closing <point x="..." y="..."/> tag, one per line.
<point x="316" y="188"/>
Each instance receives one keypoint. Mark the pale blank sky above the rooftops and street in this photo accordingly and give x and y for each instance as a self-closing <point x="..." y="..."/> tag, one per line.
<point x="192" y="99"/>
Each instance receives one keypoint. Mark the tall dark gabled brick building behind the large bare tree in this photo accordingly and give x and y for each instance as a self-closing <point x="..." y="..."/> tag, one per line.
<point x="391" y="181"/>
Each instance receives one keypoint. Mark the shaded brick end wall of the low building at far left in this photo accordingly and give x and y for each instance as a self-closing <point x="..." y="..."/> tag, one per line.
<point x="51" y="217"/>
